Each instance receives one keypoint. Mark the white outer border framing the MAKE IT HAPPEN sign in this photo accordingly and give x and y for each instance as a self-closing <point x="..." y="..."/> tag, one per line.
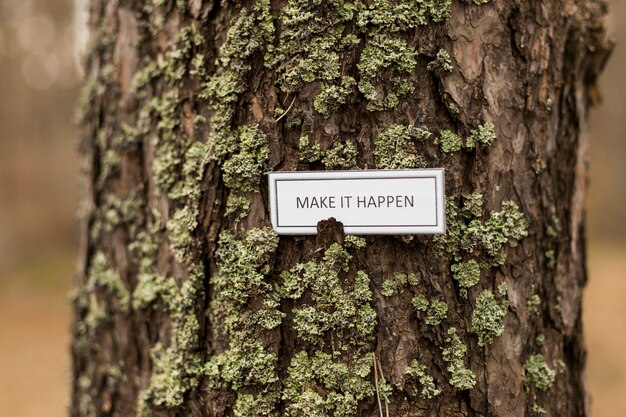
<point x="437" y="174"/>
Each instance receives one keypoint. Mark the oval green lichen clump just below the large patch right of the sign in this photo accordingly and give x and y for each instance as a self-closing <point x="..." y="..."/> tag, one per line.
<point x="486" y="321"/>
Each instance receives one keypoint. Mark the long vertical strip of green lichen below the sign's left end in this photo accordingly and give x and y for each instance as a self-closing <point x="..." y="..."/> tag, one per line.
<point x="246" y="364"/>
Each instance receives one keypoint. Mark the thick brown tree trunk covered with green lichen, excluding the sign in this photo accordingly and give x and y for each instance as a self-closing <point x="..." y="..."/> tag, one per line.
<point x="189" y="303"/>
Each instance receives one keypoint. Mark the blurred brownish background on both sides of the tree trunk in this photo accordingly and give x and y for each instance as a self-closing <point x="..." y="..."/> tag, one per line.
<point x="39" y="82"/>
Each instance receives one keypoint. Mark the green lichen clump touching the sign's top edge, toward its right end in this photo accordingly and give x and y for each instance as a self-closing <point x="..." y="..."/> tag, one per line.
<point x="396" y="147"/>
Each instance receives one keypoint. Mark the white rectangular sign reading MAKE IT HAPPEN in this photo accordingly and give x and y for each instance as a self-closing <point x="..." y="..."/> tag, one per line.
<point x="366" y="202"/>
